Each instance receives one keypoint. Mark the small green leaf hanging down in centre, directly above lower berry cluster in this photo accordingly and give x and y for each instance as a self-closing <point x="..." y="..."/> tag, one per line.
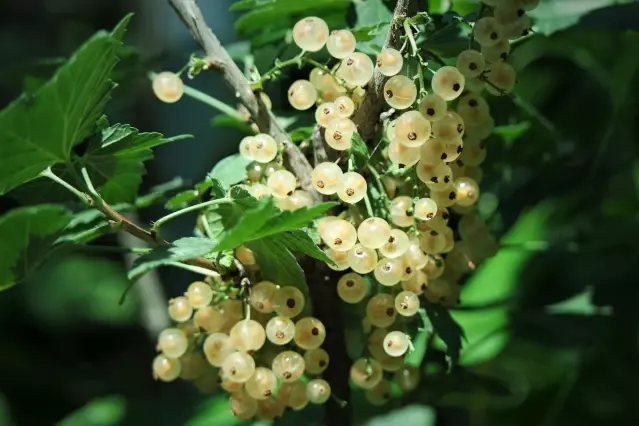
<point x="277" y="263"/>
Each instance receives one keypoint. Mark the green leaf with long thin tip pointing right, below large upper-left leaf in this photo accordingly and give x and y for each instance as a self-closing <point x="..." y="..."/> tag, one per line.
<point x="115" y="162"/>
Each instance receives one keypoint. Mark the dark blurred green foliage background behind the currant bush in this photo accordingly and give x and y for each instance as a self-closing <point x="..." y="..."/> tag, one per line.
<point x="551" y="322"/>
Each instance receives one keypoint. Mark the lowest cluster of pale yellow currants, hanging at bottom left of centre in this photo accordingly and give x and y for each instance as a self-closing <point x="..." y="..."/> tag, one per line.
<point x="259" y="360"/>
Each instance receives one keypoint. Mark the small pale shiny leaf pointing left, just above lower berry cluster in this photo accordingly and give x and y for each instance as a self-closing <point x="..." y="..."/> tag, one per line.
<point x="179" y="251"/>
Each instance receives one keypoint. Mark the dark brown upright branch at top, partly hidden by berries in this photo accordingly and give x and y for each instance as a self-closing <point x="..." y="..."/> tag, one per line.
<point x="367" y="115"/>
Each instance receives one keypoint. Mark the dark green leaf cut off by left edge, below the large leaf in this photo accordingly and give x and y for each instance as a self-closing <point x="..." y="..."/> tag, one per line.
<point x="27" y="235"/>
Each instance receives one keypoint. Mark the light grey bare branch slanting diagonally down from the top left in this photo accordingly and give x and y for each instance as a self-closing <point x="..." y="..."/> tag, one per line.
<point x="192" y="17"/>
